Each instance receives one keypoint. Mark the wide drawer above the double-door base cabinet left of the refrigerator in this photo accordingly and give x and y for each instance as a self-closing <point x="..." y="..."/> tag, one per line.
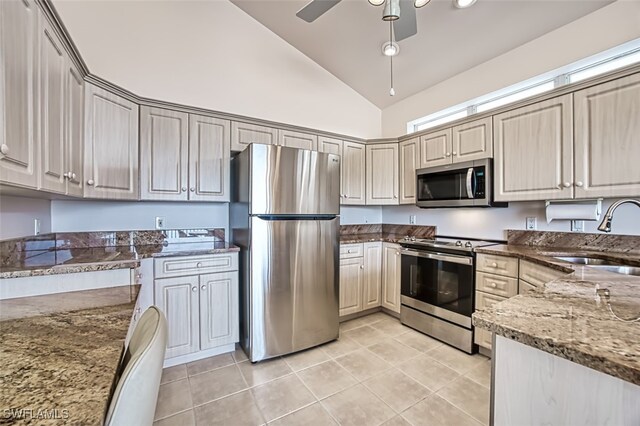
<point x="191" y="265"/>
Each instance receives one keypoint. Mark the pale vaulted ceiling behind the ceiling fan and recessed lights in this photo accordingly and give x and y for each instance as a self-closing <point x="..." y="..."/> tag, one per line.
<point x="347" y="40"/>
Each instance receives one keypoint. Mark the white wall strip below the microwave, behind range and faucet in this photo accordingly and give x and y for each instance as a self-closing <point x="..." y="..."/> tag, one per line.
<point x="492" y="222"/>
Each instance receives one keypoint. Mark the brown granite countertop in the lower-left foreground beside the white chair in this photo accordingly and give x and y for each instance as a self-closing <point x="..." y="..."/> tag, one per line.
<point x="55" y="356"/>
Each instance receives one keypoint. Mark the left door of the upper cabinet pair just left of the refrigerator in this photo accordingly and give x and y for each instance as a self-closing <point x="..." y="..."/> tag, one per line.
<point x="164" y="154"/>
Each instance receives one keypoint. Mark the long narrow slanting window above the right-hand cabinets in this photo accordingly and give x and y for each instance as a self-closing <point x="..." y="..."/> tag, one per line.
<point x="609" y="60"/>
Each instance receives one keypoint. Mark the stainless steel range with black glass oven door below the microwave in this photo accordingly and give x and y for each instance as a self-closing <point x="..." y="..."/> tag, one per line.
<point x="438" y="288"/>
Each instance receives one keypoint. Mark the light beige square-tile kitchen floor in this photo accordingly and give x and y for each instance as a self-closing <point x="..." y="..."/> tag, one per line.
<point x="378" y="372"/>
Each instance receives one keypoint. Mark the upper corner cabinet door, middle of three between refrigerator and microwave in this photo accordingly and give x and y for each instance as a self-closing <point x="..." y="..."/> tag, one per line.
<point x="382" y="174"/>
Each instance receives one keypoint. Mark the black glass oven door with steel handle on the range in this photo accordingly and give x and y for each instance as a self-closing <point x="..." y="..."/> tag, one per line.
<point x="439" y="284"/>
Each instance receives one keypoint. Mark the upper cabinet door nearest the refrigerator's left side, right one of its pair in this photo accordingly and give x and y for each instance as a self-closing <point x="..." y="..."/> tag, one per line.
<point x="209" y="158"/>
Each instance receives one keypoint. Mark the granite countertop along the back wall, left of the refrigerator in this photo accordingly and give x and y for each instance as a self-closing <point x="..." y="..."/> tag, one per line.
<point x="63" y="260"/>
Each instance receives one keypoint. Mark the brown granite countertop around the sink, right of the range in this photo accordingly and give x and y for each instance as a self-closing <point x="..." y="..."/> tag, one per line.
<point x="564" y="317"/>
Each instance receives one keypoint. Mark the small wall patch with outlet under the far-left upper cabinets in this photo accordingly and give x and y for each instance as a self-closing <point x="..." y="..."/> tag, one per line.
<point x="17" y="216"/>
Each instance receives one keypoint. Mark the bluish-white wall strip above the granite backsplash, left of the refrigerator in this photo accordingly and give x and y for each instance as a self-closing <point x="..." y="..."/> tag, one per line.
<point x="84" y="215"/>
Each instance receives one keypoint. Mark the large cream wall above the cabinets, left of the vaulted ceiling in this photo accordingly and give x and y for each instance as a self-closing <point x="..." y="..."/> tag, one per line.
<point x="213" y="55"/>
